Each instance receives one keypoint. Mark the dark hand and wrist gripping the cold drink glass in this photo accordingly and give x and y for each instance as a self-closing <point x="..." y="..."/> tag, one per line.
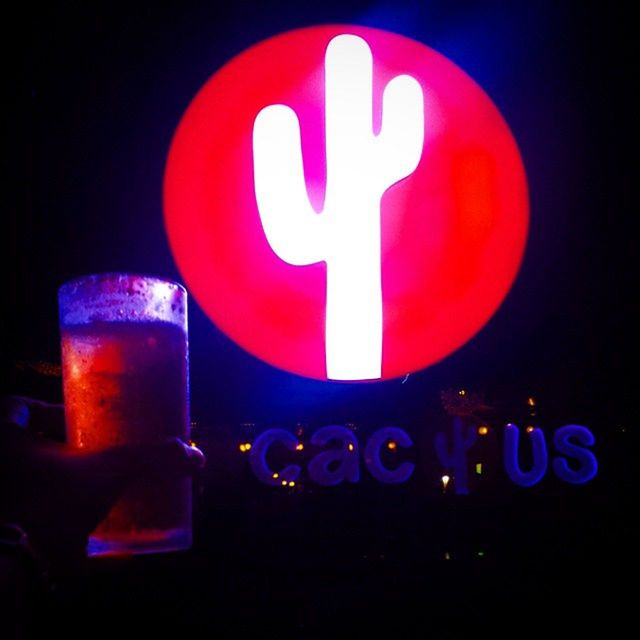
<point x="59" y="494"/>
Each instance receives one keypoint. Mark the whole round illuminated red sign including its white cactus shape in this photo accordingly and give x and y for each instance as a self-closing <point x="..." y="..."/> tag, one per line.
<point x="345" y="203"/>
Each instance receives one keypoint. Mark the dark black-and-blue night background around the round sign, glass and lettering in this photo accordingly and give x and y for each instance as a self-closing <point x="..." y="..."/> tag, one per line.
<point x="96" y="91"/>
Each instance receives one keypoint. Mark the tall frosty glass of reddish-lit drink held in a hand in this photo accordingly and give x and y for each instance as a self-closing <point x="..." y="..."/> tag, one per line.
<point x="125" y="377"/>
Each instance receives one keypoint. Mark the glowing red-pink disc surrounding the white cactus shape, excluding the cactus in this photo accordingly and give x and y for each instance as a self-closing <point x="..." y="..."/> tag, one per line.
<point x="453" y="232"/>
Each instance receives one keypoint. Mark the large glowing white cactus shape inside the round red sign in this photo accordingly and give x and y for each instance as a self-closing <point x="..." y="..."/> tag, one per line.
<point x="360" y="167"/>
